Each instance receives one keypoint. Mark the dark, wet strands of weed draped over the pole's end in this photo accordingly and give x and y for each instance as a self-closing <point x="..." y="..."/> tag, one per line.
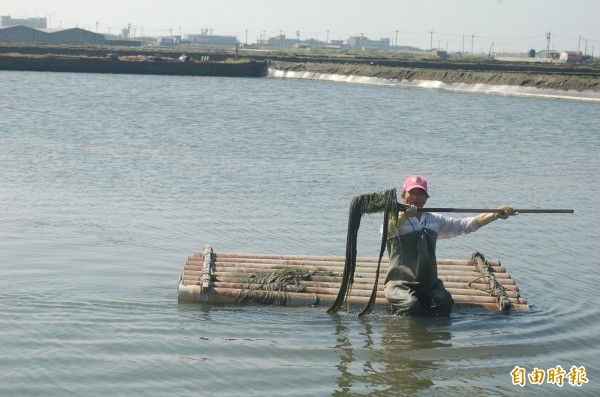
<point x="364" y="204"/>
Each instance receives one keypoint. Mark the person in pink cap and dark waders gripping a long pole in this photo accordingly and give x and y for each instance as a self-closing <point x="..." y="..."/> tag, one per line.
<point x="412" y="285"/>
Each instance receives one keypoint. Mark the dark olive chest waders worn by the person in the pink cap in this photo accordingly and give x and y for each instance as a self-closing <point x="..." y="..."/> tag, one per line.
<point x="412" y="285"/>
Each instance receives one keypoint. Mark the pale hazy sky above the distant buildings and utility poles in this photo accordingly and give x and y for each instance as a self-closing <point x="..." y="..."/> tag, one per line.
<point x="454" y="25"/>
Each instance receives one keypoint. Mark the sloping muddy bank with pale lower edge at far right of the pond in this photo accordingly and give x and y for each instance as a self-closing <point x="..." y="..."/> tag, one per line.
<point x="557" y="81"/>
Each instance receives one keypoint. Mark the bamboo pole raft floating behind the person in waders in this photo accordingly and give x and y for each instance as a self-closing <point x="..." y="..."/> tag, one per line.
<point x="294" y="280"/>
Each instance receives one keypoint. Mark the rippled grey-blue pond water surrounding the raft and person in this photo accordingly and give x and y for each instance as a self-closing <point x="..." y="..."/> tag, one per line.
<point x="108" y="183"/>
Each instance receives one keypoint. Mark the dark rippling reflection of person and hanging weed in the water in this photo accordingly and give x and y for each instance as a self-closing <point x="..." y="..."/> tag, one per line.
<point x="385" y="363"/>
